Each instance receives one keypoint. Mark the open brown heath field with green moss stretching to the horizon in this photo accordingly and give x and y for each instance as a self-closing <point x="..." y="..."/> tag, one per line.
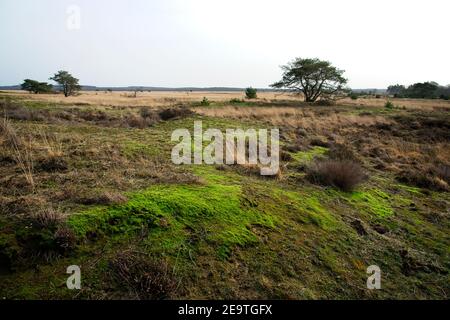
<point x="88" y="180"/>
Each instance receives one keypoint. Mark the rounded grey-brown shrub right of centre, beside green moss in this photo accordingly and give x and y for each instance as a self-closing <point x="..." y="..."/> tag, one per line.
<point x="345" y="175"/>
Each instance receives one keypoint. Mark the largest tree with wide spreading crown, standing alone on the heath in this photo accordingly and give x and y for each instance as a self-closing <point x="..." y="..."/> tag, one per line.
<point x="313" y="78"/>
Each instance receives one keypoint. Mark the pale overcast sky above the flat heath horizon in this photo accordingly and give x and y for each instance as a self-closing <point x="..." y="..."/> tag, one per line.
<point x="223" y="43"/>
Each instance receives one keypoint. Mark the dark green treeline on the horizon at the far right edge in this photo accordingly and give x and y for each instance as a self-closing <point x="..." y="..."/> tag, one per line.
<point x="425" y="90"/>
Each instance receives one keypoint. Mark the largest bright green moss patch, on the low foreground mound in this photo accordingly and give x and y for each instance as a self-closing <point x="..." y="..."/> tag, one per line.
<point x="174" y="213"/>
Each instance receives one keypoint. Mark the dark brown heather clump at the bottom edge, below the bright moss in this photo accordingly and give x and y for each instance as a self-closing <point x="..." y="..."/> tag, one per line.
<point x="145" y="278"/>
